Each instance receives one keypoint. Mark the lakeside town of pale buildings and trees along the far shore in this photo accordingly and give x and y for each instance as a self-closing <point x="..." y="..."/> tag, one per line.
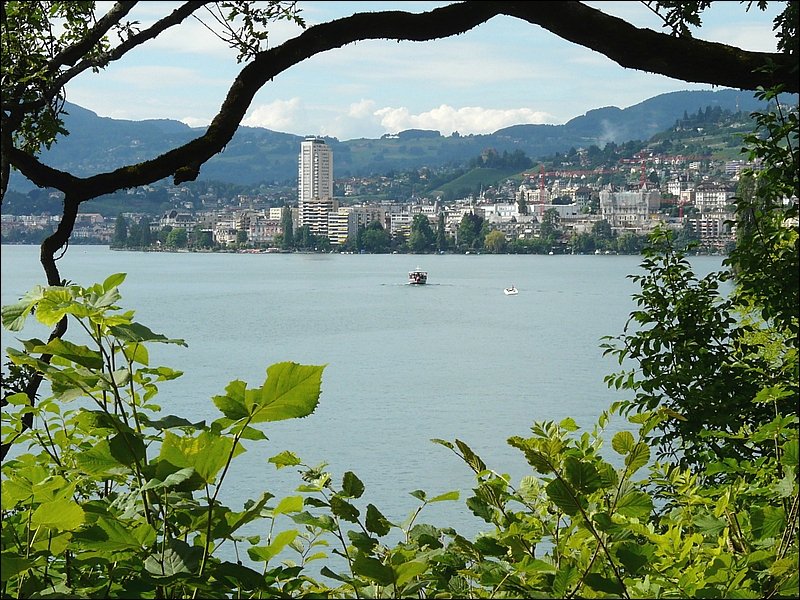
<point x="564" y="209"/>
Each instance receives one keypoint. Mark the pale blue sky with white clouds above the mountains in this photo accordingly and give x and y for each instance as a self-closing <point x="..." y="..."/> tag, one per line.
<point x="504" y="72"/>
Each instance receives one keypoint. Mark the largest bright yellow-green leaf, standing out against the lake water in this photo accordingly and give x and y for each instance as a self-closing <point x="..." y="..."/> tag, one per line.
<point x="290" y="391"/>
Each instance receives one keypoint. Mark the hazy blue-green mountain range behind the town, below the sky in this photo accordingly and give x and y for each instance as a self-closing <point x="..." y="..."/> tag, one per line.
<point x="256" y="155"/>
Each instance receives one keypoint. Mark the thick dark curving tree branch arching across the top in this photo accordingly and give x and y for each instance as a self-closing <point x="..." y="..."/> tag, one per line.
<point x="687" y="59"/>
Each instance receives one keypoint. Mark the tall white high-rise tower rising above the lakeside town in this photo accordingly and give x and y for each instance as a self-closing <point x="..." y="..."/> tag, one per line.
<point x="315" y="185"/>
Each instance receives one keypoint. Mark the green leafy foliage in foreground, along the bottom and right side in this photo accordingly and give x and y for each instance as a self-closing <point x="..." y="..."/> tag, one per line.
<point x="105" y="497"/>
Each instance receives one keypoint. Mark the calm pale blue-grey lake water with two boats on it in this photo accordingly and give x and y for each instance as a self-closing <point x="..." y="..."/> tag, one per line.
<point x="453" y="359"/>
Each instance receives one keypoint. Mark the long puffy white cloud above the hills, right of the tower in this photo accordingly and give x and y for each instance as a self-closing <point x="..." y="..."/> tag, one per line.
<point x="466" y="120"/>
